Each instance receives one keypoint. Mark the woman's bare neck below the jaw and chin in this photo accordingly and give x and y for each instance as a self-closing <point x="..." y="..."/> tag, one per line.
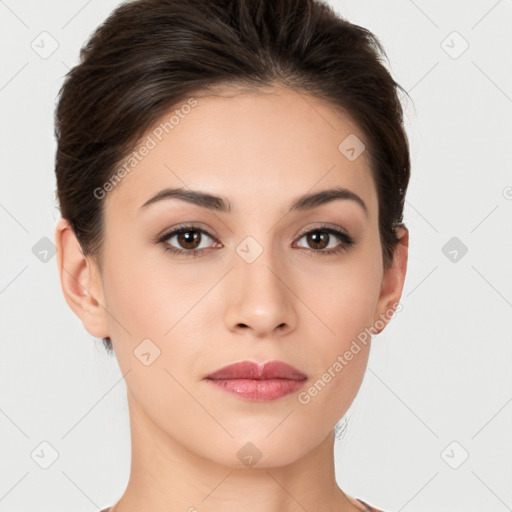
<point x="167" y="477"/>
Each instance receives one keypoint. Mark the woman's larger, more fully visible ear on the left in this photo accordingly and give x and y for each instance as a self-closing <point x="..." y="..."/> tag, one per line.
<point x="80" y="281"/>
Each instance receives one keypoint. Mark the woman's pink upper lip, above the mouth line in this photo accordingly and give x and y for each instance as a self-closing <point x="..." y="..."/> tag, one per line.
<point x="258" y="371"/>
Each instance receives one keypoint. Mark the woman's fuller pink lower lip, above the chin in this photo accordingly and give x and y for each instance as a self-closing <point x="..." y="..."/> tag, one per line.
<point x="259" y="390"/>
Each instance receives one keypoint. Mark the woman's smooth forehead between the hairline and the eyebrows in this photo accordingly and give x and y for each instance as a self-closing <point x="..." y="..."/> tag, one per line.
<point x="269" y="145"/>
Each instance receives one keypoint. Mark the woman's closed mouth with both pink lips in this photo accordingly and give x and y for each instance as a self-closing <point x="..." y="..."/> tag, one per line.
<point x="258" y="381"/>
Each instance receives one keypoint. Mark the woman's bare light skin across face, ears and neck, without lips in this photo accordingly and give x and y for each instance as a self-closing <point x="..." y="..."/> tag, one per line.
<point x="261" y="151"/>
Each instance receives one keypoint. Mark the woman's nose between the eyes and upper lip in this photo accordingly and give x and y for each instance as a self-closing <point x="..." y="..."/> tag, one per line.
<point x="259" y="297"/>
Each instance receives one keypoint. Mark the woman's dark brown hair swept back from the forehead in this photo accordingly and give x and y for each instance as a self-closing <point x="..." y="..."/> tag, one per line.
<point x="149" y="55"/>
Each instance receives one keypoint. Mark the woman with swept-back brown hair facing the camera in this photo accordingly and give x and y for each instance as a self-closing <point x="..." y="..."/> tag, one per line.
<point x="231" y="177"/>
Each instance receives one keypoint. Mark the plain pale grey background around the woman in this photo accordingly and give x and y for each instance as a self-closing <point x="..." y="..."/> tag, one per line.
<point x="439" y="385"/>
